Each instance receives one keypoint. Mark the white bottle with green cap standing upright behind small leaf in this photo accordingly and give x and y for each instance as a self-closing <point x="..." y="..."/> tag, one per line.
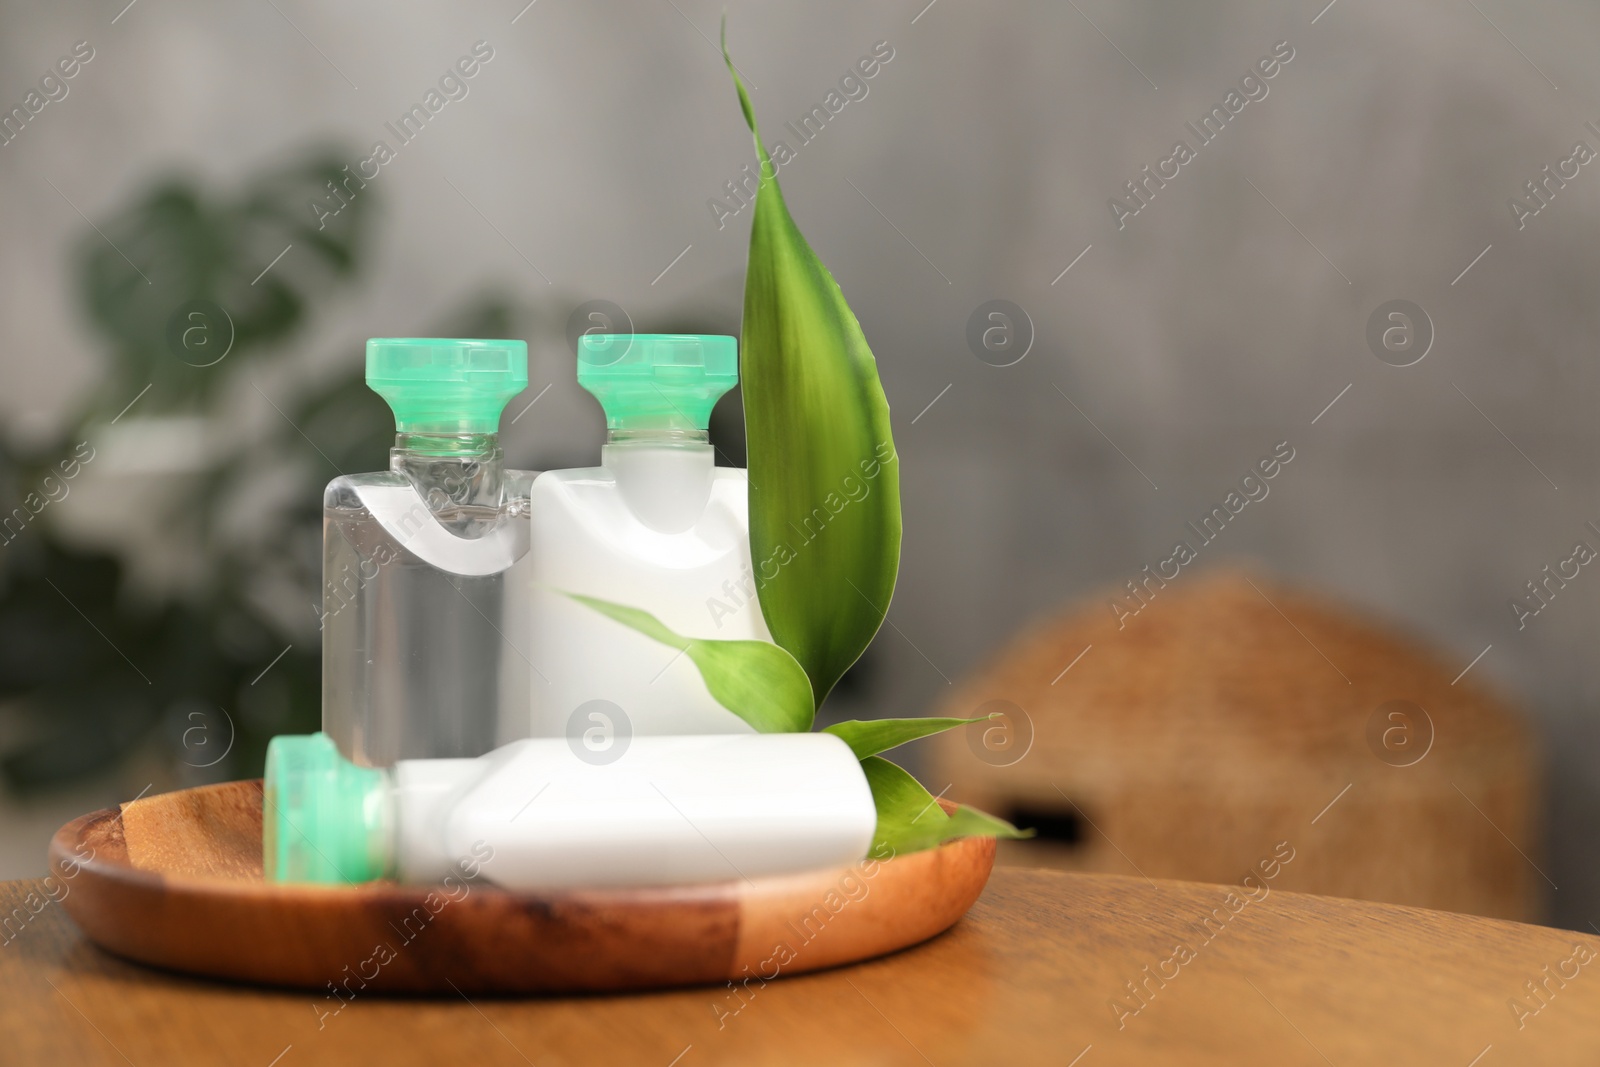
<point x="655" y="527"/>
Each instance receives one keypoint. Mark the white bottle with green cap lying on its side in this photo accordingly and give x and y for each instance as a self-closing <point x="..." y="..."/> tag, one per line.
<point x="550" y="815"/>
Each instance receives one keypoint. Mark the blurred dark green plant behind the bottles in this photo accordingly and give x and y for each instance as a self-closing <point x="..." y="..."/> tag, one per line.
<point x="194" y="295"/>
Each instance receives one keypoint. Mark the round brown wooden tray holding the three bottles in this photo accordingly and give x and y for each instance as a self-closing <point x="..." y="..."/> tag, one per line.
<point x="175" y="881"/>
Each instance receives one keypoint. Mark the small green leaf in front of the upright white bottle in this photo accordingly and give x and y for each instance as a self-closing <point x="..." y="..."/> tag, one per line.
<point x="756" y="681"/>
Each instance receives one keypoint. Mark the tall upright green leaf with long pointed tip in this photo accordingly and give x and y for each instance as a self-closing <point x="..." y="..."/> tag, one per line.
<point x="825" y="478"/>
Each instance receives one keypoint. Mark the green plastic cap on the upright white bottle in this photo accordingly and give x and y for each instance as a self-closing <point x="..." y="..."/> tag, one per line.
<point x="658" y="382"/>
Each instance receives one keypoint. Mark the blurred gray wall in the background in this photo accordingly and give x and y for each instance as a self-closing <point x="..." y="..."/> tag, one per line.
<point x="1222" y="321"/>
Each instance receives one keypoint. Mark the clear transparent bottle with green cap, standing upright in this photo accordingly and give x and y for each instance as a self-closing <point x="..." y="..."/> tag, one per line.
<point x="425" y="628"/>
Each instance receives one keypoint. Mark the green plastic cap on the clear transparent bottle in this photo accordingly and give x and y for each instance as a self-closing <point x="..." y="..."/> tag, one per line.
<point x="447" y="385"/>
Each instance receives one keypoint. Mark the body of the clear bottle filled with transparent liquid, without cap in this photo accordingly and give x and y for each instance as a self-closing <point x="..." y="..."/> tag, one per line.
<point x="425" y="655"/>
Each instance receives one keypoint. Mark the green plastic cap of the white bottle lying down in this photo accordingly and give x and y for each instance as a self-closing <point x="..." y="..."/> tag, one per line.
<point x="324" y="818"/>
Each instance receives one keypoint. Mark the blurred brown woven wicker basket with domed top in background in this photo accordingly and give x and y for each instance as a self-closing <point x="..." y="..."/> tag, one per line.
<point x="1231" y="714"/>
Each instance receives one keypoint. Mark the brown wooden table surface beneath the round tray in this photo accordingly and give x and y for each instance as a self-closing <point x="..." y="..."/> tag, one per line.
<point x="1033" y="975"/>
